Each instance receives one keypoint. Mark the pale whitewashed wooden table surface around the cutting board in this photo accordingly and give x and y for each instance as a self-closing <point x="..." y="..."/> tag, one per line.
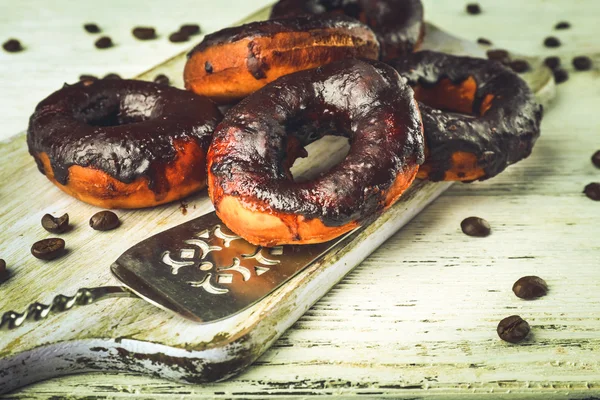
<point x="418" y="318"/>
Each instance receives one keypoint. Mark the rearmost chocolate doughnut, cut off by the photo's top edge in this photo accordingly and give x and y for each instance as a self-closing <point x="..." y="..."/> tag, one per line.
<point x="398" y="24"/>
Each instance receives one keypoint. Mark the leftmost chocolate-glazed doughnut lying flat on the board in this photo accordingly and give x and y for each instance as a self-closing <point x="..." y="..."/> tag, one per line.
<point x="123" y="143"/>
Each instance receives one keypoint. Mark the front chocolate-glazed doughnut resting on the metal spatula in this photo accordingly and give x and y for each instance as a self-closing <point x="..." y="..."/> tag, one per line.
<point x="248" y="161"/>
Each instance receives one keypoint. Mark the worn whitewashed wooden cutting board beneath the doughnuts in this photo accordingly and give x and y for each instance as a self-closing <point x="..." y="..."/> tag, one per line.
<point x="130" y="334"/>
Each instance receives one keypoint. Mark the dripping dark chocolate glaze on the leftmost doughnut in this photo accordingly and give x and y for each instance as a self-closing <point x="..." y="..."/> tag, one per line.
<point x="125" y="128"/>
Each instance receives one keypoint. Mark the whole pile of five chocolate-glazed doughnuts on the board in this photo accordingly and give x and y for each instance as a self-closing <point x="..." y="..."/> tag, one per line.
<point x="316" y="68"/>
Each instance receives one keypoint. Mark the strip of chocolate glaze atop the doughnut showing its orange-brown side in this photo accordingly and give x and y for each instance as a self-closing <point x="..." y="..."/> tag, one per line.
<point x="252" y="30"/>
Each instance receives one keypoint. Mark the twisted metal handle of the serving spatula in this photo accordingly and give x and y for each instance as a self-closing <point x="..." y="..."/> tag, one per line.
<point x="84" y="296"/>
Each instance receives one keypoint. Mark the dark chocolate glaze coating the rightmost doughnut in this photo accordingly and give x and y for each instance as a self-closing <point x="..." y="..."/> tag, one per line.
<point x="505" y="133"/>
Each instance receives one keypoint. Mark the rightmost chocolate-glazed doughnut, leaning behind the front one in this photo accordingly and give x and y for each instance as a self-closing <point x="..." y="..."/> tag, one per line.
<point x="479" y="117"/>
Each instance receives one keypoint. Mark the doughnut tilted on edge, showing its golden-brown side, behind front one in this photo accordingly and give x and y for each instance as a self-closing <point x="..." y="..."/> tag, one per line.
<point x="232" y="63"/>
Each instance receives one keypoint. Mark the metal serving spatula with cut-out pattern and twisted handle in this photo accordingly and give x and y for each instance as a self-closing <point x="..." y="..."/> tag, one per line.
<point x="199" y="270"/>
